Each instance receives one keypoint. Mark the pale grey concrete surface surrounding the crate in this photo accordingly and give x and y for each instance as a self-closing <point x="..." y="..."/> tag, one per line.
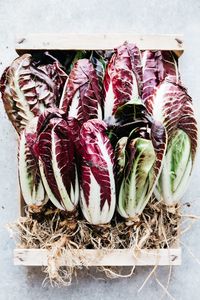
<point x="93" y="16"/>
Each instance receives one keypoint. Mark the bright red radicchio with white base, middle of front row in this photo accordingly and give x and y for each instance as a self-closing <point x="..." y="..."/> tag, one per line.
<point x="97" y="184"/>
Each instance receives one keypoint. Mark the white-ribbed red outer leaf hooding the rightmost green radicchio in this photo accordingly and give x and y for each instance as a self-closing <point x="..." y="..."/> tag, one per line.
<point x="171" y="110"/>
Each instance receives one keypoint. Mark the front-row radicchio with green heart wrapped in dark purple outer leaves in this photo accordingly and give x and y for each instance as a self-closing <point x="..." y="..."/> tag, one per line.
<point x="139" y="154"/>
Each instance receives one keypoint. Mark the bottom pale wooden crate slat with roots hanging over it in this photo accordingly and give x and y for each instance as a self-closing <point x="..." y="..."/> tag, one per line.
<point x="92" y="257"/>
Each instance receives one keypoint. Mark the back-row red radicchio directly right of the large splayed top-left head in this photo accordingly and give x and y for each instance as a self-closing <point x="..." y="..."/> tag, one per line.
<point x="81" y="98"/>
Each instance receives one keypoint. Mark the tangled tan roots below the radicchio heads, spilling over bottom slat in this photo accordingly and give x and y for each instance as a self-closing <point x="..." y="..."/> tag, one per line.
<point x="156" y="228"/>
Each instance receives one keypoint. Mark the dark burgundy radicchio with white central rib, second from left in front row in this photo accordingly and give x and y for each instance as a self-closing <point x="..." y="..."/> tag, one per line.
<point x="55" y="148"/>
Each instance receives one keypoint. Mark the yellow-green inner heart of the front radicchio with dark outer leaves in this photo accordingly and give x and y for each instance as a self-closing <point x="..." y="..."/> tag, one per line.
<point x="138" y="180"/>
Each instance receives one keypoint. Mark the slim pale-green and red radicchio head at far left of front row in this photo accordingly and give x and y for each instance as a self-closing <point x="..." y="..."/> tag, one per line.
<point x="29" y="176"/>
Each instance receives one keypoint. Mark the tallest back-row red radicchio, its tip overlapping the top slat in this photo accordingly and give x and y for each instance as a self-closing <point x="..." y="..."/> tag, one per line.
<point x="123" y="79"/>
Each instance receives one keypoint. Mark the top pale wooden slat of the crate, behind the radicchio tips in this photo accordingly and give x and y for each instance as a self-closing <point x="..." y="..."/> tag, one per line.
<point x="98" y="41"/>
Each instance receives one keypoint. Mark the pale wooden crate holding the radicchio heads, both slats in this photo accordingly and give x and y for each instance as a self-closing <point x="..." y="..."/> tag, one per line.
<point x="116" y="257"/>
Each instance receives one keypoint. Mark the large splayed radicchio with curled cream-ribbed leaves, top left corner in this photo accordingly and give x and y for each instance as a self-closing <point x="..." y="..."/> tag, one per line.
<point x="29" y="87"/>
